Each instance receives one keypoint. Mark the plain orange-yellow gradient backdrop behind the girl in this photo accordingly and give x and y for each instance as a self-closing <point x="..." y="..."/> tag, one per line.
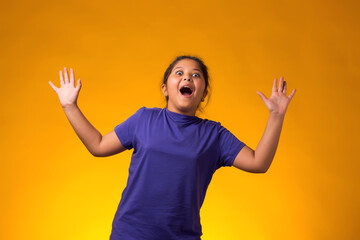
<point x="53" y="188"/>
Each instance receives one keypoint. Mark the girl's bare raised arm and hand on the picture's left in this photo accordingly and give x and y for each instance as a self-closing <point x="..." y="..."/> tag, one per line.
<point x="98" y="145"/>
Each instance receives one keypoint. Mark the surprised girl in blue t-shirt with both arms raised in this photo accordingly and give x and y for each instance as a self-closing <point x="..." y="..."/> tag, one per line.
<point x="175" y="152"/>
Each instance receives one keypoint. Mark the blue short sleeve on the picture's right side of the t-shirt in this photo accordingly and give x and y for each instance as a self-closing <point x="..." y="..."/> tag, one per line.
<point x="229" y="146"/>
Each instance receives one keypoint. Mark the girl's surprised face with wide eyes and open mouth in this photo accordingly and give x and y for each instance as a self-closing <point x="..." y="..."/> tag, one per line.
<point x="185" y="100"/>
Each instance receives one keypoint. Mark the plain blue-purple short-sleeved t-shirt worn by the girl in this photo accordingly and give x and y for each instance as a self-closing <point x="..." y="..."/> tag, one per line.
<point x="174" y="158"/>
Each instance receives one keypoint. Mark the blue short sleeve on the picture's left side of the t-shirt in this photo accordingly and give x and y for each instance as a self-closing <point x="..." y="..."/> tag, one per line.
<point x="125" y="131"/>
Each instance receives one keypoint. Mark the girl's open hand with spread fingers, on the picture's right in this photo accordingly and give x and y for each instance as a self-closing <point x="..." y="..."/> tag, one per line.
<point x="278" y="102"/>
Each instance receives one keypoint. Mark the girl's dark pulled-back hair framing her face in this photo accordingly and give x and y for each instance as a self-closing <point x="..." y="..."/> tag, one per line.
<point x="203" y="68"/>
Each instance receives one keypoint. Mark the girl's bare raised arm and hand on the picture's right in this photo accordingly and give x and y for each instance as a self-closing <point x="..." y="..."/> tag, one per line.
<point x="259" y="161"/>
